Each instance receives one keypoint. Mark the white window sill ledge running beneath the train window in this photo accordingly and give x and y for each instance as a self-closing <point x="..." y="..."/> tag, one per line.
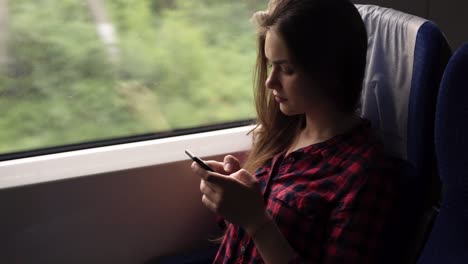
<point x="67" y="165"/>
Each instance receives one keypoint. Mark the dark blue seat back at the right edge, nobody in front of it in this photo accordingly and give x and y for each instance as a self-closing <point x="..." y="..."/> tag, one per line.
<point x="448" y="241"/>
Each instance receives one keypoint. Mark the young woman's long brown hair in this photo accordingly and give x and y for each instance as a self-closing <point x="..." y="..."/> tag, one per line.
<point x="328" y="39"/>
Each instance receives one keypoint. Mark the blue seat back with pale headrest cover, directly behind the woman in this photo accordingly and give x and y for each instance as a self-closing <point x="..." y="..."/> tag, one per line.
<point x="406" y="59"/>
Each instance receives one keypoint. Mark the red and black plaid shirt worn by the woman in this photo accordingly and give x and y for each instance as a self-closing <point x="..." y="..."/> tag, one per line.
<point x="330" y="200"/>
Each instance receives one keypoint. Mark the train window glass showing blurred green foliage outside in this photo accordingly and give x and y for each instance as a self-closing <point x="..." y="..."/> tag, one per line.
<point x="74" y="72"/>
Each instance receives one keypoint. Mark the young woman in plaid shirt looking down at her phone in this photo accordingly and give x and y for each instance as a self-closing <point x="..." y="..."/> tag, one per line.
<point x="316" y="187"/>
